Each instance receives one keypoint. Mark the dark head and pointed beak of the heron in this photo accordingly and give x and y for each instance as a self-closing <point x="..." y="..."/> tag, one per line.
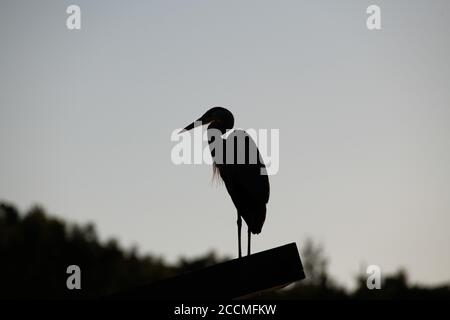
<point x="217" y="118"/>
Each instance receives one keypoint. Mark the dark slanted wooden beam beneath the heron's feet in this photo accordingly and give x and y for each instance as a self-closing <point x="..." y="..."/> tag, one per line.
<point x="229" y="280"/>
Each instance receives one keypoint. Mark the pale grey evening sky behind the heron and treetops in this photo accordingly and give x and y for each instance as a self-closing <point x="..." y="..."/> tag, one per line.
<point x="86" y="118"/>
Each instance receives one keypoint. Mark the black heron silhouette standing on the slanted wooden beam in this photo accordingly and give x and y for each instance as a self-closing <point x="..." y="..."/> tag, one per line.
<point x="241" y="167"/>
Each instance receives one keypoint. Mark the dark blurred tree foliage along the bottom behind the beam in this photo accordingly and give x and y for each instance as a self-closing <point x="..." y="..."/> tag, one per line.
<point x="35" y="251"/>
